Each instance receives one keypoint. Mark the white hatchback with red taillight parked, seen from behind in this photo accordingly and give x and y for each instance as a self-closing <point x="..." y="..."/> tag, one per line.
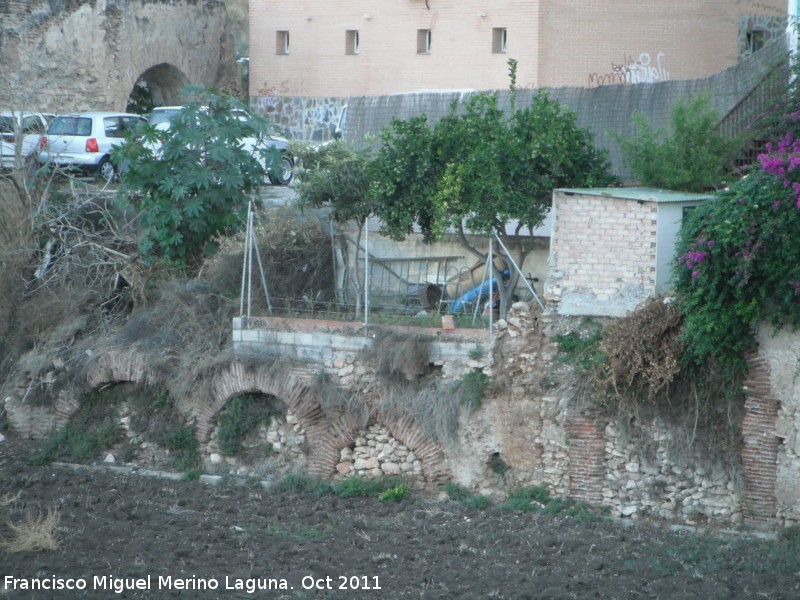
<point x="83" y="141"/>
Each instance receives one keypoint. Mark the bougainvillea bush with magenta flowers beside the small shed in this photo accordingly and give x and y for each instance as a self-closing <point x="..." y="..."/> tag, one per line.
<point x="739" y="258"/>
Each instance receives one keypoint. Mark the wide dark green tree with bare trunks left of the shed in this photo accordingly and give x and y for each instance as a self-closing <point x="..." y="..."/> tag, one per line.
<point x="481" y="171"/>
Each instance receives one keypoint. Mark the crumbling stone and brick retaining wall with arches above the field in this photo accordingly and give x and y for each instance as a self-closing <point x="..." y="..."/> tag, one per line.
<point x="530" y="430"/>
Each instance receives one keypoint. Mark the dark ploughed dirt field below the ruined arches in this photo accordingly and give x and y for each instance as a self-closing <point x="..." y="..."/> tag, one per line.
<point x="179" y="539"/>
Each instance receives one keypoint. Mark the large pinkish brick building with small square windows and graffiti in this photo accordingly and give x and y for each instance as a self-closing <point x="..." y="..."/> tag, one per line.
<point x="320" y="48"/>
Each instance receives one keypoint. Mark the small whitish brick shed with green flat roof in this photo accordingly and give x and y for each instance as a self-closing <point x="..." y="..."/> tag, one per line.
<point x="612" y="248"/>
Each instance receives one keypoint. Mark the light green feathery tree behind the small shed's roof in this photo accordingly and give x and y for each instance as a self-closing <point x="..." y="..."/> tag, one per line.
<point x="691" y="157"/>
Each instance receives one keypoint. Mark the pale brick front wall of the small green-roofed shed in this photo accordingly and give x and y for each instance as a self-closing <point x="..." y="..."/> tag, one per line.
<point x="602" y="254"/>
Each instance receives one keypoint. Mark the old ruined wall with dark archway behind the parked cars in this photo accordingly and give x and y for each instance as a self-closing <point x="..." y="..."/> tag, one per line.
<point x="71" y="56"/>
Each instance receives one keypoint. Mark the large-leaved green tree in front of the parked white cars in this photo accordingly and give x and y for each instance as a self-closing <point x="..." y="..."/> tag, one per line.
<point x="193" y="182"/>
